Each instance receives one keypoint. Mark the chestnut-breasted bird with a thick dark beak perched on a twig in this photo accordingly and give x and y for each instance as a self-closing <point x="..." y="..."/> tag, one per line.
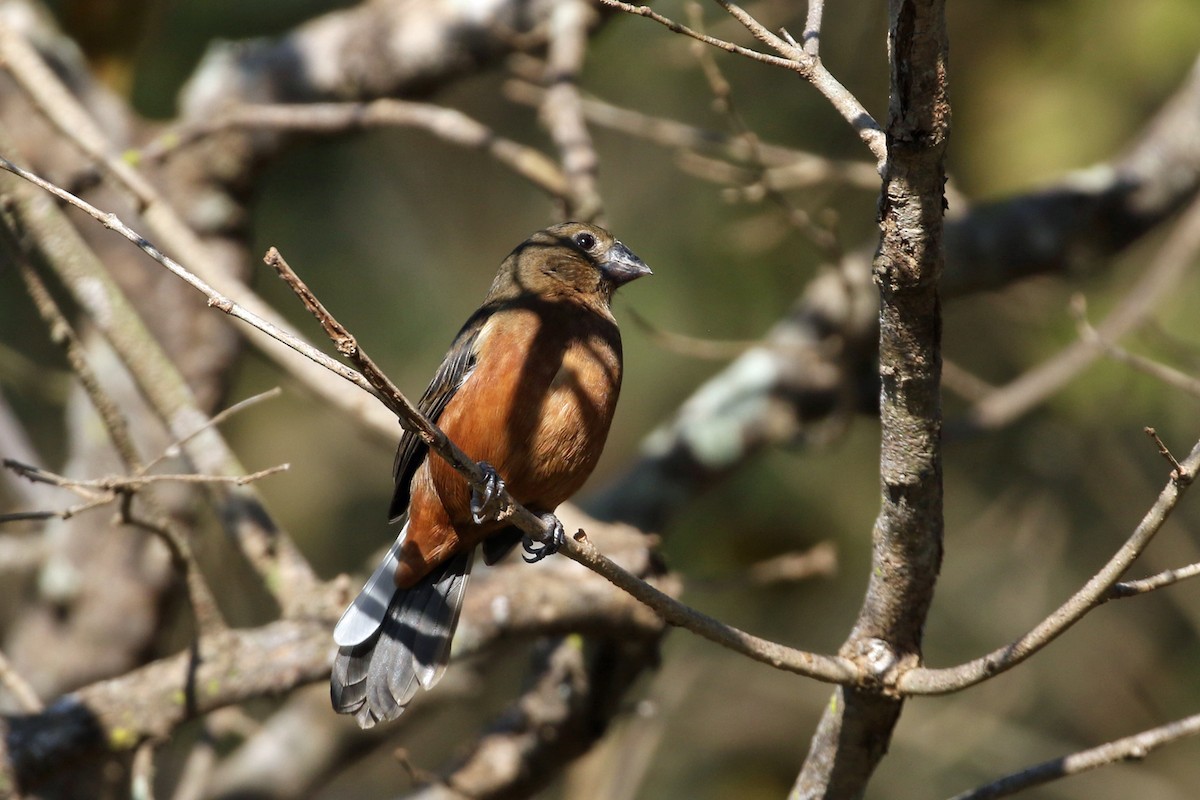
<point x="527" y="389"/>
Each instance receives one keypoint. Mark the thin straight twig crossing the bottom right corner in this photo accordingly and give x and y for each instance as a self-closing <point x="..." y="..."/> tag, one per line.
<point x="1135" y="748"/>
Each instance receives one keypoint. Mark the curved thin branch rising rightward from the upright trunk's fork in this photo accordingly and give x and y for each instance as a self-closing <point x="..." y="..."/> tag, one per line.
<point x="1099" y="590"/>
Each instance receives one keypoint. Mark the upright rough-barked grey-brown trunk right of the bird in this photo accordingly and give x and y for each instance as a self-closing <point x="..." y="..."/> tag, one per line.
<point x="857" y="726"/>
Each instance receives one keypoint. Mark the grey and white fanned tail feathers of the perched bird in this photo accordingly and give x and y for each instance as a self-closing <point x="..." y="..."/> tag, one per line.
<point x="375" y="681"/>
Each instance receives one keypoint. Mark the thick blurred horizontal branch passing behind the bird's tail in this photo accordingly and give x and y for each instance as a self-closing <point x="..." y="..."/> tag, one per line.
<point x="153" y="701"/>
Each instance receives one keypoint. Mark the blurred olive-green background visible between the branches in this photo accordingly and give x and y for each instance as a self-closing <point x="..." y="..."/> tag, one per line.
<point x="400" y="234"/>
